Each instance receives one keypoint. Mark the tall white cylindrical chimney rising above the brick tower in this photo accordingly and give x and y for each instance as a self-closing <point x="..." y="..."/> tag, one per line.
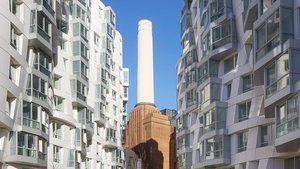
<point x="145" y="89"/>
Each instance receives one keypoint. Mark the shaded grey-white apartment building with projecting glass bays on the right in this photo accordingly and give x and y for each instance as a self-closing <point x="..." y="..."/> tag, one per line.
<point x="238" y="85"/>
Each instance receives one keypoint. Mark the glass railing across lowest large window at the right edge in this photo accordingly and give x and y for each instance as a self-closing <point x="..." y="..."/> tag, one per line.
<point x="287" y="127"/>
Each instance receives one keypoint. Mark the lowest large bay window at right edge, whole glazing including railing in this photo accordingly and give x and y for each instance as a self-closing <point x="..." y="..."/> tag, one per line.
<point x="287" y="116"/>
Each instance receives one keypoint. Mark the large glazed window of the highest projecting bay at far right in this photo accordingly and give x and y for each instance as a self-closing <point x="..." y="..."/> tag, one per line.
<point x="267" y="35"/>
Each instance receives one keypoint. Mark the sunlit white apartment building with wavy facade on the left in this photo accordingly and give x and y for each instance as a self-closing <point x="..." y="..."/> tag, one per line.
<point x="63" y="85"/>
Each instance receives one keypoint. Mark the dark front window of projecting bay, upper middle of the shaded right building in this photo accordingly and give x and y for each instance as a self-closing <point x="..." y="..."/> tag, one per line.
<point x="221" y="34"/>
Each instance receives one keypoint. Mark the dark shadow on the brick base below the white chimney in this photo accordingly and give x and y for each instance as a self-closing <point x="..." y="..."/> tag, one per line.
<point x="150" y="155"/>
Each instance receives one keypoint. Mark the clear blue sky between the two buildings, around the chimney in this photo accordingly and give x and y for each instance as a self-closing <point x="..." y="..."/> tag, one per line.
<point x="165" y="17"/>
